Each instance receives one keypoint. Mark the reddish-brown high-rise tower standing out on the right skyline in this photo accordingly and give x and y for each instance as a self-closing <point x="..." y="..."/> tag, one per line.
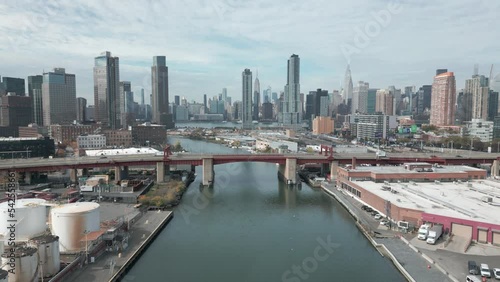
<point x="443" y="99"/>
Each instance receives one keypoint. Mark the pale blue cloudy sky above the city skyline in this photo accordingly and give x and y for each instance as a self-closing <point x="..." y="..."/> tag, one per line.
<point x="208" y="43"/>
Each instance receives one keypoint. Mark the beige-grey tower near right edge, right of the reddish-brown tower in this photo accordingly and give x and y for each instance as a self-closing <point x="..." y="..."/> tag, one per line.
<point x="478" y="88"/>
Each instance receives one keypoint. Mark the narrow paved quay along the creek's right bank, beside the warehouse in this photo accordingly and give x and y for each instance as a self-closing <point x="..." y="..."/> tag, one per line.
<point x="411" y="264"/>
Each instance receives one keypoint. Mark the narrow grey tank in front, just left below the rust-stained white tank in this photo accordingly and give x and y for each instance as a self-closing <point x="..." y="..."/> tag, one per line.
<point x="48" y="253"/>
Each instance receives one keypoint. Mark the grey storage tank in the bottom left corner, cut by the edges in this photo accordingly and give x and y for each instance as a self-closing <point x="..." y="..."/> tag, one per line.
<point x="24" y="262"/>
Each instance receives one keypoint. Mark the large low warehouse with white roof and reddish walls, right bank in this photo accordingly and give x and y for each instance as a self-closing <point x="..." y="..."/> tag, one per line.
<point x="458" y="197"/>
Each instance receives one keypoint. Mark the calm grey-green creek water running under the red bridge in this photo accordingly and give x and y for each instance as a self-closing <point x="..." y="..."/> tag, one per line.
<point x="251" y="227"/>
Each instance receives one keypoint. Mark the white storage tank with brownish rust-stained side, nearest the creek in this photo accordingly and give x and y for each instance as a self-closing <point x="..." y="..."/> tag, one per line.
<point x="71" y="222"/>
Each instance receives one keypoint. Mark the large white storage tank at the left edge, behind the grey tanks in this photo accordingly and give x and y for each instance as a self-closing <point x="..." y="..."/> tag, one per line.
<point x="30" y="216"/>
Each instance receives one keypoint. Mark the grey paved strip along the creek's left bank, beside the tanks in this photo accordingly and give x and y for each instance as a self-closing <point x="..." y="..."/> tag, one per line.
<point x="102" y="269"/>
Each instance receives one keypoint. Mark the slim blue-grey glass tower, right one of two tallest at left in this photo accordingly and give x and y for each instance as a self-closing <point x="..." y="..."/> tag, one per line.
<point x="159" y="83"/>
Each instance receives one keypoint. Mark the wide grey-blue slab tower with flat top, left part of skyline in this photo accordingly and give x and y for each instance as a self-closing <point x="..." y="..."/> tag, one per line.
<point x="58" y="97"/>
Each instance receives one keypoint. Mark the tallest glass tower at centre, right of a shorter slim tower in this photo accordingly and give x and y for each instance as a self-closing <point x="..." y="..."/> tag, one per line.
<point x="291" y="115"/>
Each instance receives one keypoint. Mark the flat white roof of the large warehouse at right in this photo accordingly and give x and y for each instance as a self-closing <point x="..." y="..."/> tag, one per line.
<point x="454" y="199"/>
